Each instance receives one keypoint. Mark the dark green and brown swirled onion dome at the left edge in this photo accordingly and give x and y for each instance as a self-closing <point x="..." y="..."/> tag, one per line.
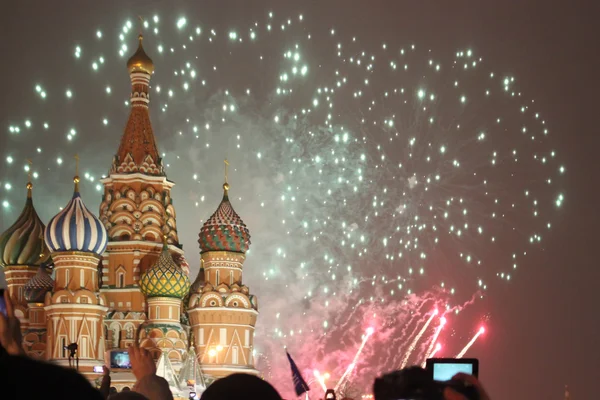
<point x="22" y="243"/>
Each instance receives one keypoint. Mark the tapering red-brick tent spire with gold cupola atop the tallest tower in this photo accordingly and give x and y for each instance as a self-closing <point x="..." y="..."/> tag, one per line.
<point x="137" y="151"/>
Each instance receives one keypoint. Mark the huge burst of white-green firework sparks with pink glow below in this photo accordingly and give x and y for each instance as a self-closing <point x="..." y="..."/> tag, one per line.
<point x="379" y="182"/>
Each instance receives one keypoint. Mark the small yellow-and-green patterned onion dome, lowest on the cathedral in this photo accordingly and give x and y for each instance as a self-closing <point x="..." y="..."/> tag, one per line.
<point x="165" y="278"/>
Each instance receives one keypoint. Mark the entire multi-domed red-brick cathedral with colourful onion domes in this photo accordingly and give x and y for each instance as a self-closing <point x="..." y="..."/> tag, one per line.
<point x="106" y="282"/>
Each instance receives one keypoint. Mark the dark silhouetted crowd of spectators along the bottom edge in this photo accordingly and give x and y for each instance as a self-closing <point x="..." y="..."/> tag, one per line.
<point x="21" y="376"/>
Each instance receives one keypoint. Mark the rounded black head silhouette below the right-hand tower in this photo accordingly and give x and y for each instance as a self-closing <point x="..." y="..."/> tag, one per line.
<point x="242" y="387"/>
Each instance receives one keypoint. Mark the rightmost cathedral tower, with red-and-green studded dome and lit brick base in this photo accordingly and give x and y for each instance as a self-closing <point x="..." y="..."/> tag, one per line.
<point x="221" y="310"/>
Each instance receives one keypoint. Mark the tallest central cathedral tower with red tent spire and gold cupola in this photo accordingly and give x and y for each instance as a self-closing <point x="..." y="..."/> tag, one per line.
<point x="136" y="210"/>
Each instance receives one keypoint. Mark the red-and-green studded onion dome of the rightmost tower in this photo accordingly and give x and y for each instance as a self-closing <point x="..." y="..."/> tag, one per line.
<point x="224" y="230"/>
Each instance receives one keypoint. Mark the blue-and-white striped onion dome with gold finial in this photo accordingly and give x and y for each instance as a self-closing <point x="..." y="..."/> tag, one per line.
<point x="75" y="228"/>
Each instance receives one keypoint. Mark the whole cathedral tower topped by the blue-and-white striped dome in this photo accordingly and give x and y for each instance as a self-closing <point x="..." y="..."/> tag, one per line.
<point x="75" y="309"/>
